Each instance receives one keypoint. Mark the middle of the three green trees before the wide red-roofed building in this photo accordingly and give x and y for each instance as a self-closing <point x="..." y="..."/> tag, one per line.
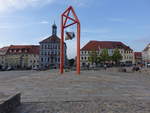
<point x="104" y="56"/>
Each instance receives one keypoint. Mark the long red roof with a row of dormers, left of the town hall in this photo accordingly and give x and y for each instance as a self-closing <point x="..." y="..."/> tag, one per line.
<point x="19" y="49"/>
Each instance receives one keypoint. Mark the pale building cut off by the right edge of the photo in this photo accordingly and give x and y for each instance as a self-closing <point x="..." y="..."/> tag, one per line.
<point x="146" y="54"/>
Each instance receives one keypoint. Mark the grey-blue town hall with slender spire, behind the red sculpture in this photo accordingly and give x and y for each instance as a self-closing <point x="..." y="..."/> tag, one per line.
<point x="50" y="50"/>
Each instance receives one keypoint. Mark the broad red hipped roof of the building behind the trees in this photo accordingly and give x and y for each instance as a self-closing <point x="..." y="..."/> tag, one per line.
<point x="96" y="45"/>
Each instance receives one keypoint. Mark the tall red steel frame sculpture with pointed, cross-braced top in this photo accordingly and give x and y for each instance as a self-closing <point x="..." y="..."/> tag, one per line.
<point x="65" y="17"/>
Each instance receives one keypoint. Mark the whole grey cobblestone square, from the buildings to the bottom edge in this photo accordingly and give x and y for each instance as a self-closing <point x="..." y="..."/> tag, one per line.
<point x="91" y="92"/>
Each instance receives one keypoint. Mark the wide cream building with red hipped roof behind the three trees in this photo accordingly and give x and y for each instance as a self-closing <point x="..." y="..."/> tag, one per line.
<point x="98" y="46"/>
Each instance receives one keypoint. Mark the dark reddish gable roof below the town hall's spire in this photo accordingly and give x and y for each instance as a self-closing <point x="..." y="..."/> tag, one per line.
<point x="52" y="38"/>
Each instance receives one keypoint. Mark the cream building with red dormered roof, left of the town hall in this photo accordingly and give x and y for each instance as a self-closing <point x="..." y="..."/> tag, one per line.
<point x="21" y="56"/>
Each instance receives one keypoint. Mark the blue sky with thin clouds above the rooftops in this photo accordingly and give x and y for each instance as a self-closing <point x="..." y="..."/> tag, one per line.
<point x="29" y="21"/>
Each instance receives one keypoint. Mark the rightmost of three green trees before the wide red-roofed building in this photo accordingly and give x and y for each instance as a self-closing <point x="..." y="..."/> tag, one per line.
<point x="116" y="57"/>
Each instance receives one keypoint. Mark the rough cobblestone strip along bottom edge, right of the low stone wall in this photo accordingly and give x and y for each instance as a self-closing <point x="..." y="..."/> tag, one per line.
<point x="97" y="106"/>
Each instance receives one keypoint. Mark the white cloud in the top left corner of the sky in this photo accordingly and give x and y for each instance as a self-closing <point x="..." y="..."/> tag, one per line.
<point x="8" y="5"/>
